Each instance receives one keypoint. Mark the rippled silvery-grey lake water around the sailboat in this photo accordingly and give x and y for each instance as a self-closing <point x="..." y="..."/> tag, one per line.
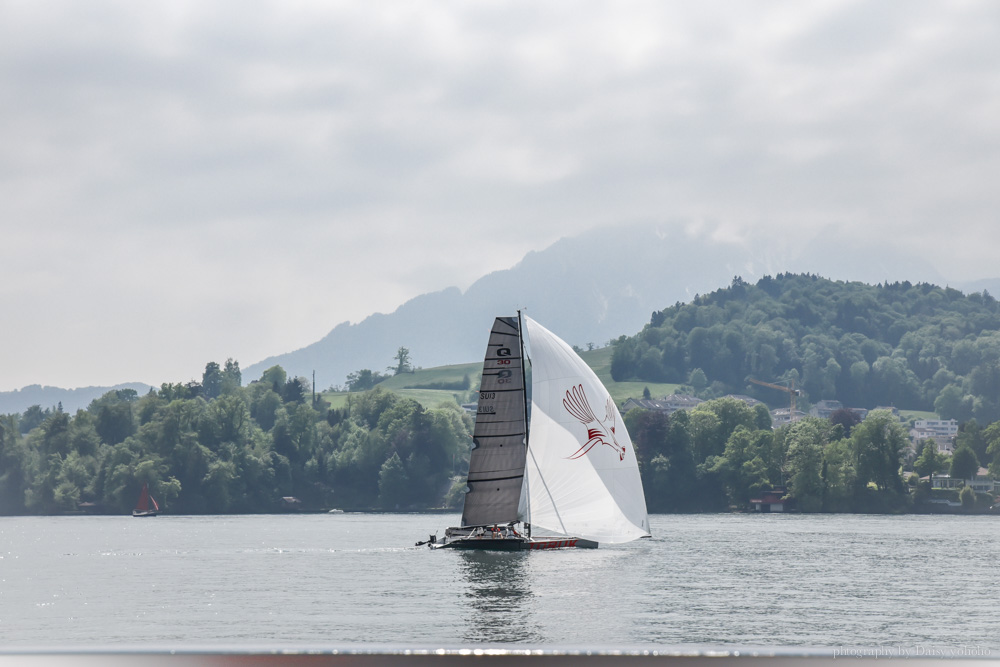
<point x="323" y="581"/>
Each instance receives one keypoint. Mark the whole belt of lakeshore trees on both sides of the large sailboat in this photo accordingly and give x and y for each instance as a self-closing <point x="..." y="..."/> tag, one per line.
<point x="217" y="447"/>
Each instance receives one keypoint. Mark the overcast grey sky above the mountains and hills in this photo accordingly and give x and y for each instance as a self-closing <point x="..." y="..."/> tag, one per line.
<point x="185" y="182"/>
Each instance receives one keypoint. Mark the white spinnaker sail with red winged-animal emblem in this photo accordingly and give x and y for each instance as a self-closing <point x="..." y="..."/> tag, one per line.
<point x="582" y="478"/>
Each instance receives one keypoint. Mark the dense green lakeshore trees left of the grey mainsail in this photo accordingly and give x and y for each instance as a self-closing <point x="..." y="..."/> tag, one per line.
<point x="216" y="446"/>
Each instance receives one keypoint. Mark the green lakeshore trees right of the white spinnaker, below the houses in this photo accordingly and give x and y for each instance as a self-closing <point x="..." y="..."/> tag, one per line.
<point x="723" y="453"/>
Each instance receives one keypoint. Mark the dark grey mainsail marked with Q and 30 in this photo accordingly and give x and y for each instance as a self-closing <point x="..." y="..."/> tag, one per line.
<point x="496" y="467"/>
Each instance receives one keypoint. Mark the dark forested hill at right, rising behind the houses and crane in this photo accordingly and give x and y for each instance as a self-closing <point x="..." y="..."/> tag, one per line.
<point x="919" y="347"/>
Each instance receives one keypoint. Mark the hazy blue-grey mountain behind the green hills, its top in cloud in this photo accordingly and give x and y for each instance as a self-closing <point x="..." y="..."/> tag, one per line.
<point x="587" y="289"/>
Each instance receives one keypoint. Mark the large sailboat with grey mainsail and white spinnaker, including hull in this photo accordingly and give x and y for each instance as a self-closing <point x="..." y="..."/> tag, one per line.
<point x="552" y="464"/>
